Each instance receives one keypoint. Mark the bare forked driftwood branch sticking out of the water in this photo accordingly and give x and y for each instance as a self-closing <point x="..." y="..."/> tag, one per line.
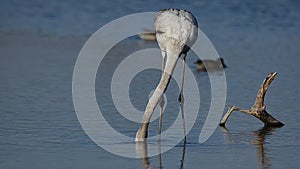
<point x="258" y="109"/>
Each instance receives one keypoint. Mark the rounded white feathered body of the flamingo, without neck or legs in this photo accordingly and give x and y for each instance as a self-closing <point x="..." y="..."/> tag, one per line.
<point x="177" y="28"/>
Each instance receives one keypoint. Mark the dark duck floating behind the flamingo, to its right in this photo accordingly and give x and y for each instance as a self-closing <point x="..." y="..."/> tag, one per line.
<point x="210" y="65"/>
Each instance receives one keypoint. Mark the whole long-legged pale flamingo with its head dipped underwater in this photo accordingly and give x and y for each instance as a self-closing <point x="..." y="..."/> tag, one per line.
<point x="176" y="31"/>
